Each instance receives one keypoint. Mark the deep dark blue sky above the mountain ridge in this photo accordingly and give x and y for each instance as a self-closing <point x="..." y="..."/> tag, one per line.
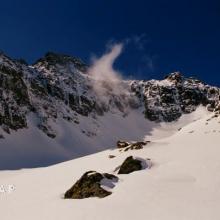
<point x="164" y="36"/>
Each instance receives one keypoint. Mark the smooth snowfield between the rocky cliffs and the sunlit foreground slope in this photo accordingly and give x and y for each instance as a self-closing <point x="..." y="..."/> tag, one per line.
<point x="32" y="148"/>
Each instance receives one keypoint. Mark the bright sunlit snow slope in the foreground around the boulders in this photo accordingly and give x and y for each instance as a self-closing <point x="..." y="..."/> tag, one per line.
<point x="183" y="182"/>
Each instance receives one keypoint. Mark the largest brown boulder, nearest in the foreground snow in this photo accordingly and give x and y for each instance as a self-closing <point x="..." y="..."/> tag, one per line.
<point x="89" y="185"/>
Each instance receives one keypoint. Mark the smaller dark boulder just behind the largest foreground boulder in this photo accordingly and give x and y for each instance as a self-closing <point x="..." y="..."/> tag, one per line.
<point x="130" y="165"/>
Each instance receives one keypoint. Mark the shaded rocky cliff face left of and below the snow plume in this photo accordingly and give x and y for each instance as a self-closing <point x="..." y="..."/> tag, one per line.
<point x="56" y="86"/>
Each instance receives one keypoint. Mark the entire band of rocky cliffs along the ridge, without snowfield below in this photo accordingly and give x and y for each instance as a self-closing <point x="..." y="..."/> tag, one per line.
<point x="58" y="86"/>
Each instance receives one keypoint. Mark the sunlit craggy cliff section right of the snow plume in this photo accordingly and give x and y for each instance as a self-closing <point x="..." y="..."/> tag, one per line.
<point x="168" y="99"/>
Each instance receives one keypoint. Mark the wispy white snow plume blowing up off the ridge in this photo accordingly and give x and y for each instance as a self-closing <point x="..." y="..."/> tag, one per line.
<point x="106" y="79"/>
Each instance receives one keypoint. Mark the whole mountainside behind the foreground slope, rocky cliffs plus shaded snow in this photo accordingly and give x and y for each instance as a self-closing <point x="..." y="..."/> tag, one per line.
<point x="53" y="111"/>
